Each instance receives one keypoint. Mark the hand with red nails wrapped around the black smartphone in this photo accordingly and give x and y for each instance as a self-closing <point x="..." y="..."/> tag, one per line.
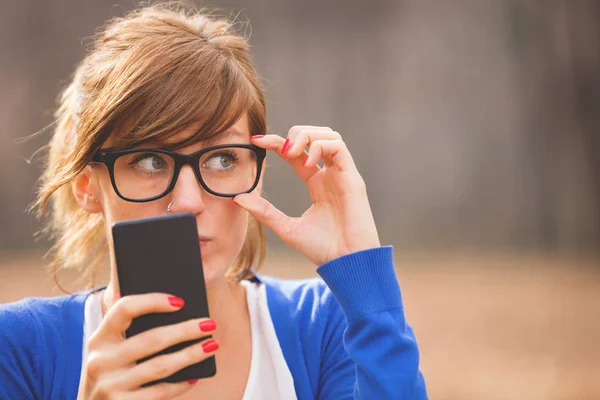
<point x="111" y="371"/>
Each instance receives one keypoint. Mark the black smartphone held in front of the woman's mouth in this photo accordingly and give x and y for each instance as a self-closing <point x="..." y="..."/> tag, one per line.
<point x="162" y="254"/>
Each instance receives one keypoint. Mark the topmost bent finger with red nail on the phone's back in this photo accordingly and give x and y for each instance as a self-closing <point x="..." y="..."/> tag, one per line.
<point x="120" y="315"/>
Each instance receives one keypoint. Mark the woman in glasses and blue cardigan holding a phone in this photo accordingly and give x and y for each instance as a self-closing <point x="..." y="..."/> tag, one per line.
<point x="166" y="82"/>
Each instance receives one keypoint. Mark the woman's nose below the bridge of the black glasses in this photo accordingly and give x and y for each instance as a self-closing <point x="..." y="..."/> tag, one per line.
<point x="187" y="195"/>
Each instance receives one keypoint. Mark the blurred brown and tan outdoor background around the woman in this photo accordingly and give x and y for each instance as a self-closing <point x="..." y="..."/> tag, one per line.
<point x="476" y="125"/>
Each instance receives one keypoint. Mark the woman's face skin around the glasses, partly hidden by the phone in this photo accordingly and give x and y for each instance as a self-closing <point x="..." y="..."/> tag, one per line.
<point x="221" y="224"/>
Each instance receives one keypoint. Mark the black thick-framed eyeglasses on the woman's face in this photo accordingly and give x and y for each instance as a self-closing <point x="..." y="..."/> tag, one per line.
<point x="141" y="175"/>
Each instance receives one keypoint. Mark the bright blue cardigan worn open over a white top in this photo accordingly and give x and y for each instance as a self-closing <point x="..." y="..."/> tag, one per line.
<point x="343" y="338"/>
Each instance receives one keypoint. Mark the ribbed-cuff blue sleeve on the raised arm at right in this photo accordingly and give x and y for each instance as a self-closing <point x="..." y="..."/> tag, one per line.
<point x="378" y="357"/>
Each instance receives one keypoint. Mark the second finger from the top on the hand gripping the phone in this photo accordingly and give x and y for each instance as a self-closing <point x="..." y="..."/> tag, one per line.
<point x="154" y="340"/>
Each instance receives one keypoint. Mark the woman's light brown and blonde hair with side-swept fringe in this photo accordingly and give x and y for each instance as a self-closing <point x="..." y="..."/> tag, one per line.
<point x="149" y="74"/>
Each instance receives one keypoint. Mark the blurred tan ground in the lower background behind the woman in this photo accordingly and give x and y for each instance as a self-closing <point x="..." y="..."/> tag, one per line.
<point x="489" y="327"/>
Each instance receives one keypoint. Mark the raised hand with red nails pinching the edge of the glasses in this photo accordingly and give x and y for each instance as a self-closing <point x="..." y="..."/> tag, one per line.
<point x="339" y="221"/>
